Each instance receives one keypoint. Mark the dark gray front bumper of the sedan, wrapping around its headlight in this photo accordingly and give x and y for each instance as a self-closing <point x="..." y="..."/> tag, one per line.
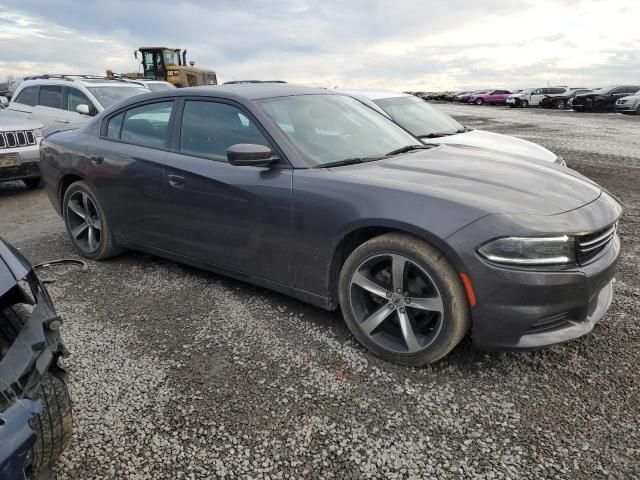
<point x="527" y="308"/>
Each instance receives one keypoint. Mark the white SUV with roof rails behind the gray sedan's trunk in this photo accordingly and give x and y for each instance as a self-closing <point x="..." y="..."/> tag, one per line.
<point x="60" y="99"/>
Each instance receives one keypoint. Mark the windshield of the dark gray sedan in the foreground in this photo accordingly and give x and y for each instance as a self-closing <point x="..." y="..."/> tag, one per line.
<point x="332" y="128"/>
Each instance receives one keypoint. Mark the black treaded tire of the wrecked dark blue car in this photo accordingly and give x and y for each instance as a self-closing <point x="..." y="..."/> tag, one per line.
<point x="54" y="425"/>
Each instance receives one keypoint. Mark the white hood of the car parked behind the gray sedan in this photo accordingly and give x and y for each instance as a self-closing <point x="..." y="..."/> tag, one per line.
<point x="496" y="141"/>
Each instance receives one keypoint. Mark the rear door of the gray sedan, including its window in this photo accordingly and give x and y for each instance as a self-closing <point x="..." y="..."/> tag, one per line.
<point x="125" y="166"/>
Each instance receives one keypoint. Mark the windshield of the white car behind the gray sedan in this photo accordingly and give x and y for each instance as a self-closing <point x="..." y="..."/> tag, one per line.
<point x="418" y="116"/>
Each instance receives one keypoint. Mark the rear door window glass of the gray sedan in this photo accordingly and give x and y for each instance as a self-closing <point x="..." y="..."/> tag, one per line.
<point x="146" y="125"/>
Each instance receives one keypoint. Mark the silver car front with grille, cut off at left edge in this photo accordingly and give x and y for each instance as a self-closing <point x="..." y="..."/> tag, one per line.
<point x="19" y="149"/>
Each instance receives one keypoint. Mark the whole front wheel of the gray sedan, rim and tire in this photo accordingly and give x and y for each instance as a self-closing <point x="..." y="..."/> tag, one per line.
<point x="402" y="300"/>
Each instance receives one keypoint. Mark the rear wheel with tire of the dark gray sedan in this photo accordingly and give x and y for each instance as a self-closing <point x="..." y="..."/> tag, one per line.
<point x="87" y="224"/>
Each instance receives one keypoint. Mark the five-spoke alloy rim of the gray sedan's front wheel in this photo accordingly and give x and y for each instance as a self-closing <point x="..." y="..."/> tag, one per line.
<point x="396" y="303"/>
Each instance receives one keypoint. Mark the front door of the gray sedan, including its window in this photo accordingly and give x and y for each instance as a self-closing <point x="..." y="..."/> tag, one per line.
<point x="229" y="216"/>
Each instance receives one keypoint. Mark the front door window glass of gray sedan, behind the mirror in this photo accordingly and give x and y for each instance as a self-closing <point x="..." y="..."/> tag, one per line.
<point x="209" y="129"/>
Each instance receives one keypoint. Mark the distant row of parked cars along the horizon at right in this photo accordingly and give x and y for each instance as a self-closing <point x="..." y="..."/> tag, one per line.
<point x="620" y="98"/>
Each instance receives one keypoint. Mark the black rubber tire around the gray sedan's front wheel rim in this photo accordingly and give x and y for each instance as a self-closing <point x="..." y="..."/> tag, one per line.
<point x="455" y="319"/>
